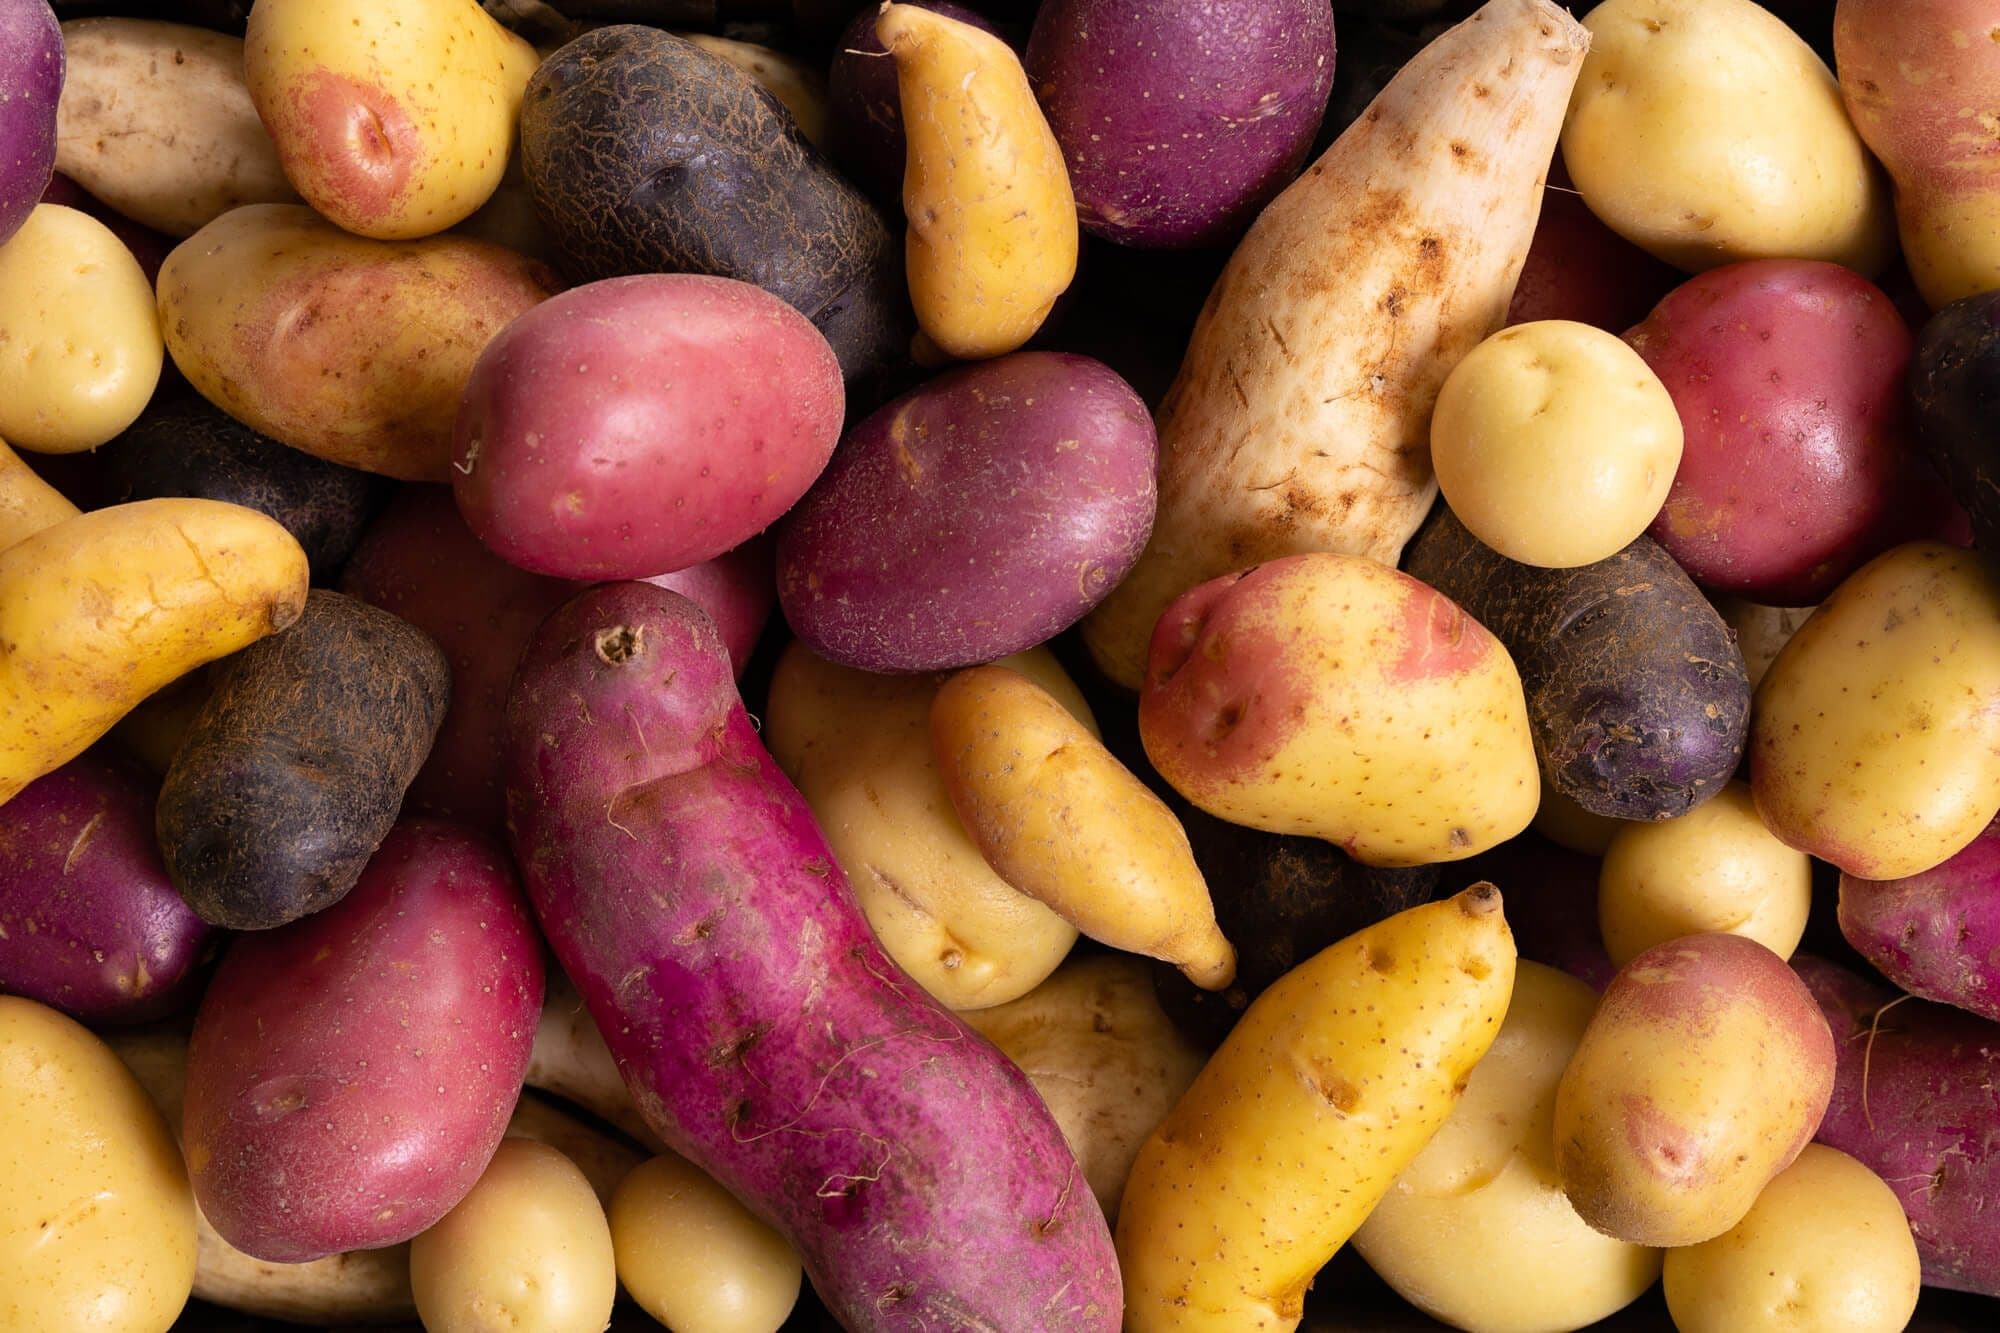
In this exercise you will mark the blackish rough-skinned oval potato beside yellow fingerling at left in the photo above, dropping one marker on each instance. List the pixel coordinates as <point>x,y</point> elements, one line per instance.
<point>273,810</point>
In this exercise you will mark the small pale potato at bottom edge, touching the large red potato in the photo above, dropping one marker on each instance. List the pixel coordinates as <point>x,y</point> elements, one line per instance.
<point>529,1250</point>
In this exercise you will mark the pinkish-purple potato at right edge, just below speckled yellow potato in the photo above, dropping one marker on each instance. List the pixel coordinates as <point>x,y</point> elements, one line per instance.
<point>1937,934</point>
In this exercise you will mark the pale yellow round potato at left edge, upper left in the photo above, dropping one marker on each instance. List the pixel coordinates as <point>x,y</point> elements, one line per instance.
<point>79,337</point>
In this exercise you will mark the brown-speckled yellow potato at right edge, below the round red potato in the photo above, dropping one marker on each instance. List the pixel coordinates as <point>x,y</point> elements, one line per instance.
<point>1875,734</point>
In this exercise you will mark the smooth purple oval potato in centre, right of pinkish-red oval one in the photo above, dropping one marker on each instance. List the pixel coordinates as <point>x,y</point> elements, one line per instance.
<point>979,515</point>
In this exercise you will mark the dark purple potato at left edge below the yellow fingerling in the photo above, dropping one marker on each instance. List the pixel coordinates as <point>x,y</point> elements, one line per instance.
<point>87,904</point>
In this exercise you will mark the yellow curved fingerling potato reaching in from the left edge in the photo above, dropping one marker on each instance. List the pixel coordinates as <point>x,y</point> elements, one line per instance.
<point>107,607</point>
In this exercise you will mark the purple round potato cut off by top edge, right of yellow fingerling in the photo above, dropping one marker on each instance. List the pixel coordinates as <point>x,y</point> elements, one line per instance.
<point>1181,119</point>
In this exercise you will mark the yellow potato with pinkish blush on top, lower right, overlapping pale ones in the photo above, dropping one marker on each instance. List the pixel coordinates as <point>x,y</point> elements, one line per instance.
<point>1701,1078</point>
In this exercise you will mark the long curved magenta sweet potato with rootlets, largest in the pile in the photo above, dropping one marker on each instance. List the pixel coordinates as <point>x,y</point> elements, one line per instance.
<point>757,1022</point>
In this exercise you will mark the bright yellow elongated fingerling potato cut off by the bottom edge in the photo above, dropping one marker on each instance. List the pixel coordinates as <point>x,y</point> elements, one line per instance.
<point>1325,1092</point>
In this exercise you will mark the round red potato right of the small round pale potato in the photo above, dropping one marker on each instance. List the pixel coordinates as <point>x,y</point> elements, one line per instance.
<point>1789,377</point>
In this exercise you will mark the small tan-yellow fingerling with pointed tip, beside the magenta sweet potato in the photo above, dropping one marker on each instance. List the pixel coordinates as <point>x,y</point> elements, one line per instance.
<point>1069,826</point>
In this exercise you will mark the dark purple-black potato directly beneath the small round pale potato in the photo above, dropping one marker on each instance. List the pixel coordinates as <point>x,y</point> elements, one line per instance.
<point>1637,692</point>
